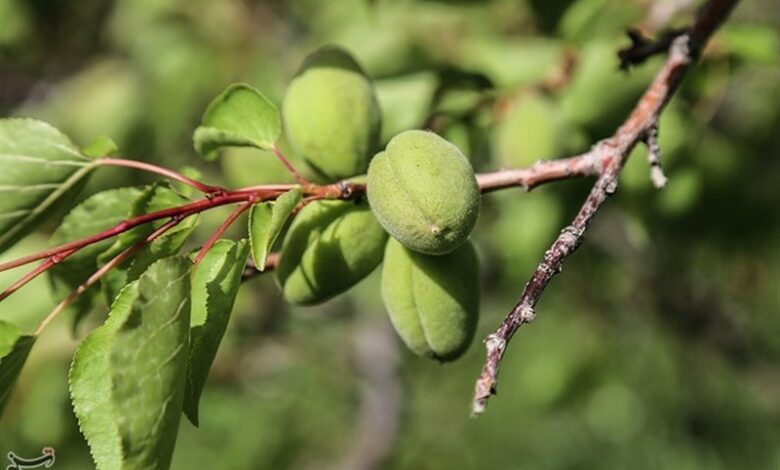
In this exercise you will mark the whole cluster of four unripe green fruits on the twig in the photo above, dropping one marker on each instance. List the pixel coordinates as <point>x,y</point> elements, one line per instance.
<point>421,190</point>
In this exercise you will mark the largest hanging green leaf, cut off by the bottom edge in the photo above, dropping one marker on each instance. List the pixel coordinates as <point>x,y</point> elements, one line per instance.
<point>127,377</point>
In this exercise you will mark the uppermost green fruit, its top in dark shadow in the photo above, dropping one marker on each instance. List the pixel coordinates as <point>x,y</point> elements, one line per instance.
<point>331,115</point>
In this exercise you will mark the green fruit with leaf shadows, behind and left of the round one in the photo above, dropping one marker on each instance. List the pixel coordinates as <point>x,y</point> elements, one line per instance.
<point>331,246</point>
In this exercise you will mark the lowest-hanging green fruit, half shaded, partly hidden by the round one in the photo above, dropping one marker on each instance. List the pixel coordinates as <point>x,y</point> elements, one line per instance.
<point>433,301</point>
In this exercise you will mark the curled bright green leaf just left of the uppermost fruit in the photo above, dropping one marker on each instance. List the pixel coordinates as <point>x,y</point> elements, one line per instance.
<point>242,117</point>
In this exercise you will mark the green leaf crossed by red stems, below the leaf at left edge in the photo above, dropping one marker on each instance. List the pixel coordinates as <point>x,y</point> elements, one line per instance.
<point>99,212</point>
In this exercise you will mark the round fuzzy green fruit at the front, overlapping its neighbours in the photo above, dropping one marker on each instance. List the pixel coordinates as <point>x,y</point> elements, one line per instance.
<point>424,192</point>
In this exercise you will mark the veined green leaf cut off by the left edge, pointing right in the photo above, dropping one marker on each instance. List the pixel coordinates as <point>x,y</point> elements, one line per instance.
<point>41,170</point>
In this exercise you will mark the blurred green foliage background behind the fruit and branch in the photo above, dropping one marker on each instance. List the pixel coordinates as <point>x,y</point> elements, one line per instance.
<point>657,347</point>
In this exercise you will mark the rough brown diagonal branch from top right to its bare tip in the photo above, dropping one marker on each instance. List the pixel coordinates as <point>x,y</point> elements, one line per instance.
<point>611,155</point>
